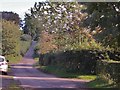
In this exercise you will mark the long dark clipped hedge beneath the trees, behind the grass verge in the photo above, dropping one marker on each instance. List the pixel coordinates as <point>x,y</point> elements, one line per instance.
<point>83,61</point>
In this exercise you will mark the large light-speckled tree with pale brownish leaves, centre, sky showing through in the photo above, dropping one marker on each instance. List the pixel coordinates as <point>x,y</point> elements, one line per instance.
<point>64,21</point>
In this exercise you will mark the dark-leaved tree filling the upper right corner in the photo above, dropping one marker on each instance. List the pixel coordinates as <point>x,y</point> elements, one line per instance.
<point>103,18</point>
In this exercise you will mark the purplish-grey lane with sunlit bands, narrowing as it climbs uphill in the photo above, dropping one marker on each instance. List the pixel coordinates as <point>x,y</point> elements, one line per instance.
<point>32,79</point>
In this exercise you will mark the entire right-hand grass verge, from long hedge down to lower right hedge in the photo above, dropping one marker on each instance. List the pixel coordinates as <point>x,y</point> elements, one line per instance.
<point>94,80</point>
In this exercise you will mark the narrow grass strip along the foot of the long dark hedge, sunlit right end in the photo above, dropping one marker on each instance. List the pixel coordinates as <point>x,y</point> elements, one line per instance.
<point>62,73</point>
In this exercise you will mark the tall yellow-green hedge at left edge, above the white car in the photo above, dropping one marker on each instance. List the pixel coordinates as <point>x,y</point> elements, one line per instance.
<point>10,38</point>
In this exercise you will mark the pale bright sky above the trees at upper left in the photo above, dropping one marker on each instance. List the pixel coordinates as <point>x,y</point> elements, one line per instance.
<point>17,6</point>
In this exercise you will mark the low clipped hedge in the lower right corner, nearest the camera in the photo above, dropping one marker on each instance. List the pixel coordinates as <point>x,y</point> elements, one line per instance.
<point>109,70</point>
